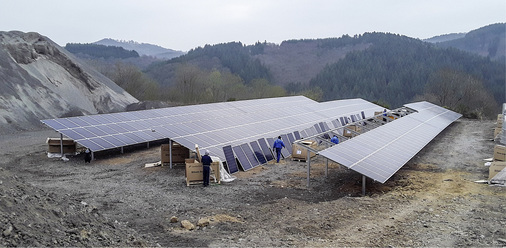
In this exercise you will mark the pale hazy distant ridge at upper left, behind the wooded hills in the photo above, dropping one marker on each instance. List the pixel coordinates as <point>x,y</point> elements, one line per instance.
<point>142,48</point>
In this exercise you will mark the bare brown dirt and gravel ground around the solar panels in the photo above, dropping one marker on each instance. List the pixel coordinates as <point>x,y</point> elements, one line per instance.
<point>114,201</point>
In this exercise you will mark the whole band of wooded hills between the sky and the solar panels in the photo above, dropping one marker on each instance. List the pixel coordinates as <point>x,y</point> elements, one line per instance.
<point>386,68</point>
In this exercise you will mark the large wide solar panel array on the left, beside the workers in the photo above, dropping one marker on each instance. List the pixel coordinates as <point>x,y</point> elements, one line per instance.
<point>215,126</point>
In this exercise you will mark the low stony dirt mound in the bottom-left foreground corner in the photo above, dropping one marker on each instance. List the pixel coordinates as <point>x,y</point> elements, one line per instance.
<point>30,216</point>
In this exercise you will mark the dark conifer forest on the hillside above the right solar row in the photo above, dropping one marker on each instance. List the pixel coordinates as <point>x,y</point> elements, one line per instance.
<point>395,69</point>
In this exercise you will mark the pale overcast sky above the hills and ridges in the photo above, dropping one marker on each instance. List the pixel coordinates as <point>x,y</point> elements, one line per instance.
<point>186,24</point>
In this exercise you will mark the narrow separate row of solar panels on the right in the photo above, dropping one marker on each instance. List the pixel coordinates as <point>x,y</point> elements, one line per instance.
<point>381,152</point>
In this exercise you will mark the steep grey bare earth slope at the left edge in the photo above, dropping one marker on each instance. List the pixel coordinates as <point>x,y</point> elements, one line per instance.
<point>41,80</point>
